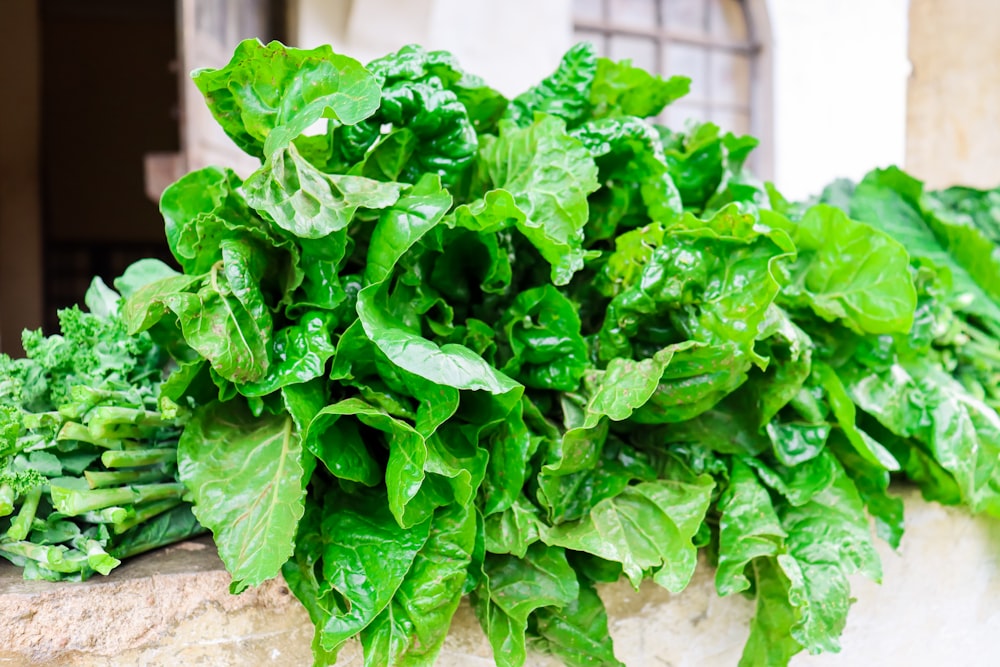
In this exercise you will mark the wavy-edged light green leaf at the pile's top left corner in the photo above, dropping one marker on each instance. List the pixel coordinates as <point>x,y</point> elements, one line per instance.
<point>281,91</point>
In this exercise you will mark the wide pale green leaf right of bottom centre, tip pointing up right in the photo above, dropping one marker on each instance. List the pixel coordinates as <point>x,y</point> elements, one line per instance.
<point>649,525</point>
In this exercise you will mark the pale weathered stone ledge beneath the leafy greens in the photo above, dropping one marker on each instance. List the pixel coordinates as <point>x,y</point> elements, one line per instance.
<point>939,604</point>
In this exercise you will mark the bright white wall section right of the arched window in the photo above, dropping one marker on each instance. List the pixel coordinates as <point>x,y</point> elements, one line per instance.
<point>840,75</point>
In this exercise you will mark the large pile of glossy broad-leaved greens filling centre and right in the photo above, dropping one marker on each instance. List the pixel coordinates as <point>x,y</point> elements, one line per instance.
<point>445,343</point>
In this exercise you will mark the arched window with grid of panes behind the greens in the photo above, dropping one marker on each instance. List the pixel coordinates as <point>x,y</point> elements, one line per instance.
<point>719,44</point>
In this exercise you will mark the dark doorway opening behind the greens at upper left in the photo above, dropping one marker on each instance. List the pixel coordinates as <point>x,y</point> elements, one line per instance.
<point>109,97</point>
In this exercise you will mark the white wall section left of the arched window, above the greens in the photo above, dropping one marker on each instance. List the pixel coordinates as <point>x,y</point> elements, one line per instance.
<point>511,44</point>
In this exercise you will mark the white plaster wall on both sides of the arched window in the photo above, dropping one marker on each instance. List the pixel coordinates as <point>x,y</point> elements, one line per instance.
<point>840,67</point>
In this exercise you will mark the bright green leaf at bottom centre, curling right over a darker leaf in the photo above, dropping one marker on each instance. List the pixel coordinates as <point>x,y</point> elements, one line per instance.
<point>514,587</point>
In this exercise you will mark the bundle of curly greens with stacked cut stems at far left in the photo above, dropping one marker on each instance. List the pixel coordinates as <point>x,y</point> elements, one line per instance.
<point>87,460</point>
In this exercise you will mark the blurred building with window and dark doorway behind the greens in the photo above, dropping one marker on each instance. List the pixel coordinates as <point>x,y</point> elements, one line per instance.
<point>98,113</point>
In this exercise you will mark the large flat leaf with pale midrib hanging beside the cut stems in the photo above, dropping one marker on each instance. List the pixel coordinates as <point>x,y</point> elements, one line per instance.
<point>245,476</point>
